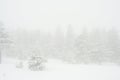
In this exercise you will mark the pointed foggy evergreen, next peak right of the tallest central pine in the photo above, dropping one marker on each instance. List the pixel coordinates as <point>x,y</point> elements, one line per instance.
<point>81,46</point>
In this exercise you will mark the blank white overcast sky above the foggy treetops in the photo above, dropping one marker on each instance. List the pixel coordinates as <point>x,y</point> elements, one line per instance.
<point>47,14</point>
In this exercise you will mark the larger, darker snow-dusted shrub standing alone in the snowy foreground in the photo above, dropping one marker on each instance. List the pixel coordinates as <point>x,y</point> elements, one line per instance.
<point>36,63</point>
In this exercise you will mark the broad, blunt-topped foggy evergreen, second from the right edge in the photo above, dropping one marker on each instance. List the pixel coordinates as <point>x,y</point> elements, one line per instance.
<point>99,52</point>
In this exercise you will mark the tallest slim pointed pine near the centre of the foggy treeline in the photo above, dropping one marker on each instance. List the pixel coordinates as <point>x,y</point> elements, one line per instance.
<point>69,54</point>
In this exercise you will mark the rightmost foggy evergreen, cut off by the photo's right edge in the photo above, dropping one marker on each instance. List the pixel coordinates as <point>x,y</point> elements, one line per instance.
<point>114,44</point>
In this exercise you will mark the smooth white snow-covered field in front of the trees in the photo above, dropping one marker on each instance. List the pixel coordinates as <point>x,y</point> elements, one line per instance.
<point>58,70</point>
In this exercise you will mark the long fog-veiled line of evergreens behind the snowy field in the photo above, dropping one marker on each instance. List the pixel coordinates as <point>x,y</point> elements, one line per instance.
<point>95,46</point>
